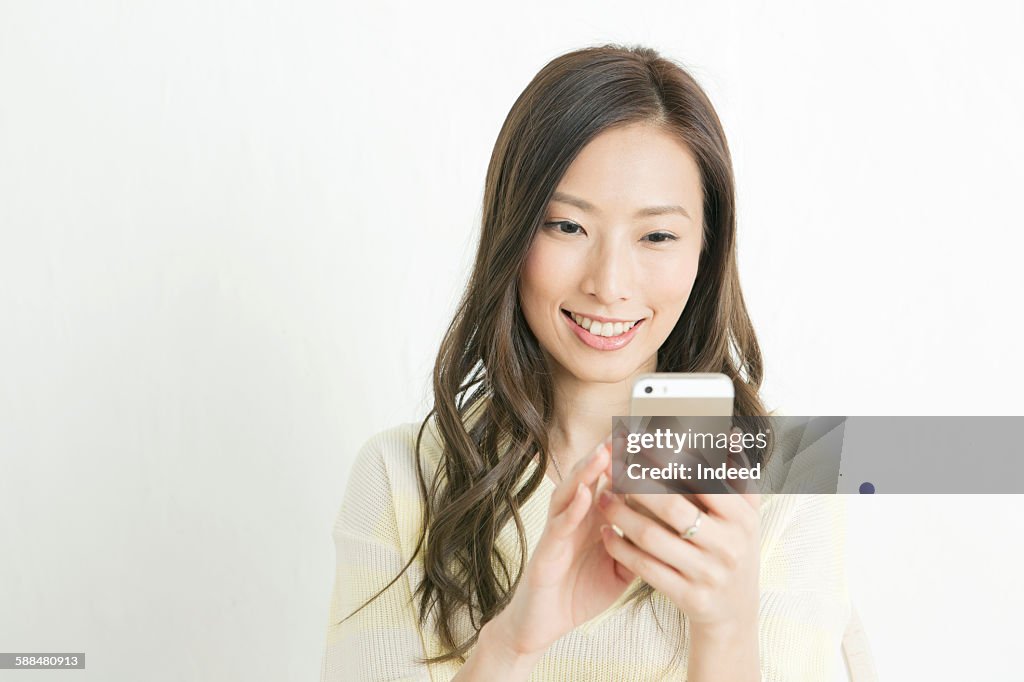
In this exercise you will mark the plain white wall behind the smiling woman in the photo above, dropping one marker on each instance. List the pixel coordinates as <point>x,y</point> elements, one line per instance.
<point>232,235</point>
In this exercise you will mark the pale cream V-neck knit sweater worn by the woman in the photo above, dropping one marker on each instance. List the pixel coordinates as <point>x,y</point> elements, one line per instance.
<point>804,609</point>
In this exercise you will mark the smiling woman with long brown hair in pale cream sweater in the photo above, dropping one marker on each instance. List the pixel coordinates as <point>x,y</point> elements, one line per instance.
<point>477,546</point>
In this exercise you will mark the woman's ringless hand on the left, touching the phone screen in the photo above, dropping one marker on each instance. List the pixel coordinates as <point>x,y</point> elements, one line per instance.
<point>571,578</point>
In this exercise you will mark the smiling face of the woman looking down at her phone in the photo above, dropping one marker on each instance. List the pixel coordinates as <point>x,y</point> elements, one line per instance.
<point>619,247</point>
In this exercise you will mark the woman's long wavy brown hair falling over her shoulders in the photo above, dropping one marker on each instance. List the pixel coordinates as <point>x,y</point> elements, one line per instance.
<point>490,363</point>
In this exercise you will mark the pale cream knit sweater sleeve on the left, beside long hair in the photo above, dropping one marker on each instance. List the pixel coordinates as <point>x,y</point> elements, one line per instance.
<point>383,641</point>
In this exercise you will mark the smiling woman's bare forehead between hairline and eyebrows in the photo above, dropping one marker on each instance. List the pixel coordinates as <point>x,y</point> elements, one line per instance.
<point>634,166</point>
